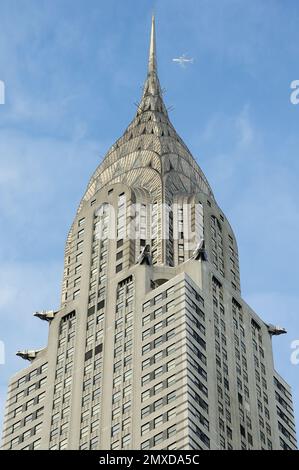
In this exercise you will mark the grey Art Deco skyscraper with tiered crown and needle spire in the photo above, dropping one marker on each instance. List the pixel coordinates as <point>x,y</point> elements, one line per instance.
<point>153,346</point>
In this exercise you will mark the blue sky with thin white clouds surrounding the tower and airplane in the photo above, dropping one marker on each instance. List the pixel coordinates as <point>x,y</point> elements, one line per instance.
<point>73,71</point>
